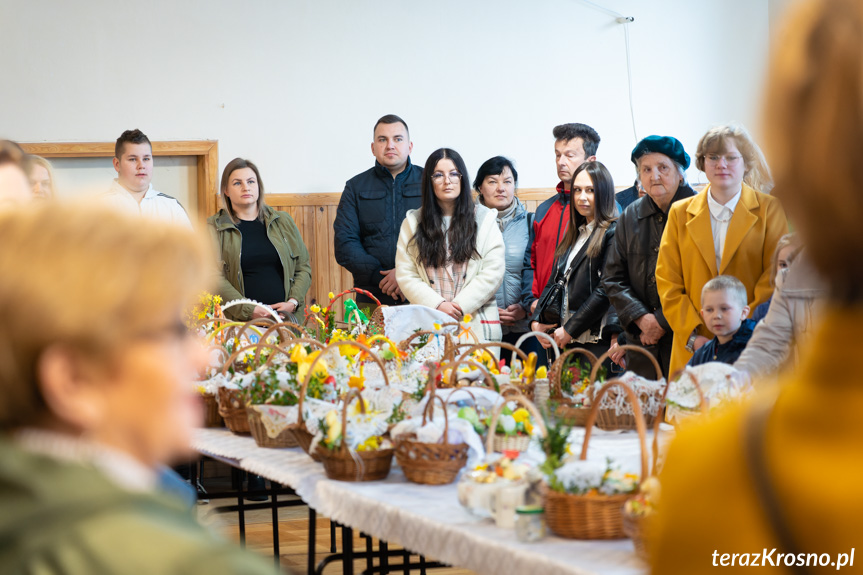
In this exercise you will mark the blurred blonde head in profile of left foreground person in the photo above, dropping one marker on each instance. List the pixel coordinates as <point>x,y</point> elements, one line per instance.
<point>92,342</point>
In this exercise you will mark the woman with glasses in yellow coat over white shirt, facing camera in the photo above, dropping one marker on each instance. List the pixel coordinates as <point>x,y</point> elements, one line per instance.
<point>730,228</point>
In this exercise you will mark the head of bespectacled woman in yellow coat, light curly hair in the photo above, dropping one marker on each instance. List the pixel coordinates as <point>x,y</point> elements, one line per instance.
<point>729,157</point>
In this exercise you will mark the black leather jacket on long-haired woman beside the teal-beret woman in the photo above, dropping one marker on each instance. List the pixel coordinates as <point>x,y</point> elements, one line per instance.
<point>586,296</point>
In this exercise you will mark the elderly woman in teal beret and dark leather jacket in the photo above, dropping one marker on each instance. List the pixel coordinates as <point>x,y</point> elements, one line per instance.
<point>660,162</point>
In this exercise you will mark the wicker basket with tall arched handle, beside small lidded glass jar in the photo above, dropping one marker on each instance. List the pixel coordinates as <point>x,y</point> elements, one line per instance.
<point>594,516</point>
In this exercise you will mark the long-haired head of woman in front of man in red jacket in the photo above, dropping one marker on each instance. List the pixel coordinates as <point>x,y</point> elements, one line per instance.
<point>591,200</point>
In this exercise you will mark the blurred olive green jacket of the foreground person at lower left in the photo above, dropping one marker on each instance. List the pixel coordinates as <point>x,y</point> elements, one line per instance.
<point>65,518</point>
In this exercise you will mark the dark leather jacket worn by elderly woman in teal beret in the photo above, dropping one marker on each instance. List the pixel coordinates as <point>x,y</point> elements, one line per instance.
<point>630,269</point>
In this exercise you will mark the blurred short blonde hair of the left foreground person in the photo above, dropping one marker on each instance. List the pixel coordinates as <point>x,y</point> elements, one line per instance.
<point>88,278</point>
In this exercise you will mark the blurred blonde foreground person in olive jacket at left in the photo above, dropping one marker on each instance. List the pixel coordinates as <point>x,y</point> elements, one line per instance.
<point>96,399</point>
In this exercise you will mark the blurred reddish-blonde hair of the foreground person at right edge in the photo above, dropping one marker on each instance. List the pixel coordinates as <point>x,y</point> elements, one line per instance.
<point>814,135</point>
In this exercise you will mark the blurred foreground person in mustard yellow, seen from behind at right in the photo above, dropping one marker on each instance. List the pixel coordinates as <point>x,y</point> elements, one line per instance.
<point>782,472</point>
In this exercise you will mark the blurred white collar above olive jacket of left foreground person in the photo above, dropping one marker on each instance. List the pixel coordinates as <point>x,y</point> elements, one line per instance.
<point>120,468</point>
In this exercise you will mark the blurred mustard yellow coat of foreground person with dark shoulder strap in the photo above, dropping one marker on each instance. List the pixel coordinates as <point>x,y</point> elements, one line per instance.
<point>813,444</point>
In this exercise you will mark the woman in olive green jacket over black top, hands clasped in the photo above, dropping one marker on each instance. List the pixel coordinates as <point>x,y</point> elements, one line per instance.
<point>262,256</point>
